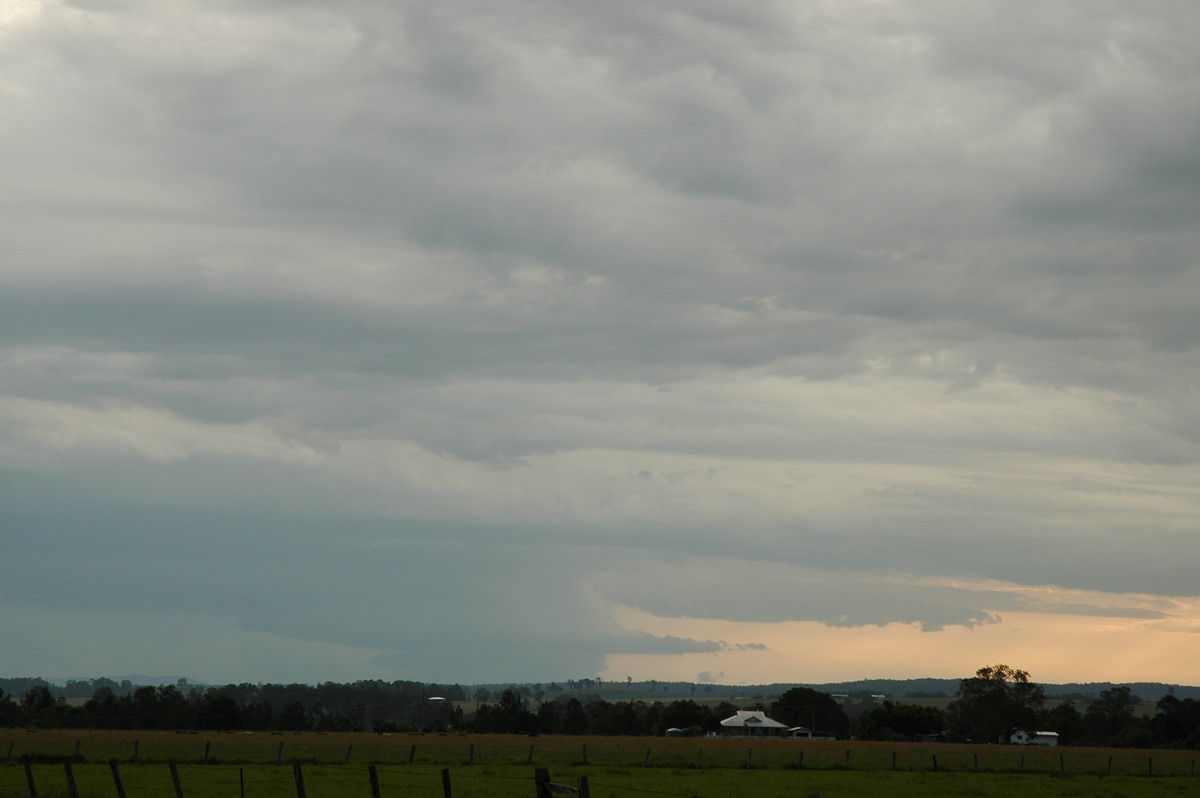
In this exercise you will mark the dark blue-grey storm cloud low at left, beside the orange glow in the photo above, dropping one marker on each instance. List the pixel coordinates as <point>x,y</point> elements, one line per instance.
<point>371,586</point>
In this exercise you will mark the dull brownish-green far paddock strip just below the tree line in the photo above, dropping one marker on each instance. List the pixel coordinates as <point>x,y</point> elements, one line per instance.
<point>265,748</point>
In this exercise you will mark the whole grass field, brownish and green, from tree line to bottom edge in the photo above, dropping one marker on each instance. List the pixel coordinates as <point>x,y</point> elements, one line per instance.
<point>617,767</point>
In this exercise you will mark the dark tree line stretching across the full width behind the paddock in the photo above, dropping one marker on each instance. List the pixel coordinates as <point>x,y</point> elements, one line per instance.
<point>987,709</point>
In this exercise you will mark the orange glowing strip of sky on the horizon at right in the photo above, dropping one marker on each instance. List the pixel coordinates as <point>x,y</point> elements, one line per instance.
<point>1054,649</point>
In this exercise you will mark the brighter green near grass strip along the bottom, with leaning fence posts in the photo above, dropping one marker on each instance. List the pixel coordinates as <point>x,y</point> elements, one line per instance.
<point>513,782</point>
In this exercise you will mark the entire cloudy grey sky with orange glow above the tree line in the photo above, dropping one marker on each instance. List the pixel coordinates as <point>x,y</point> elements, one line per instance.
<point>743,344</point>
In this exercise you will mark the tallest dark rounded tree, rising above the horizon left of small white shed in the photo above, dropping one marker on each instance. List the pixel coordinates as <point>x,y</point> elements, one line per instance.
<point>994,703</point>
